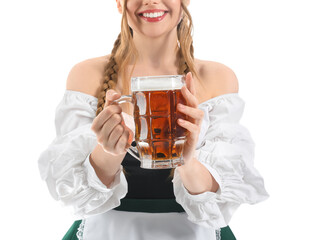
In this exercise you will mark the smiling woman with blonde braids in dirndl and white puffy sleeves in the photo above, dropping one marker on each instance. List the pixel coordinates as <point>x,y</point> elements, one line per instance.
<point>87,166</point>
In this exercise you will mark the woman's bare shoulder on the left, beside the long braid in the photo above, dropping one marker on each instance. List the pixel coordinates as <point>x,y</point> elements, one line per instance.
<point>86,76</point>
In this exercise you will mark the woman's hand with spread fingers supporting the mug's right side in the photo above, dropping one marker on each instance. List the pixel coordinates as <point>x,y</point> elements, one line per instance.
<point>195,117</point>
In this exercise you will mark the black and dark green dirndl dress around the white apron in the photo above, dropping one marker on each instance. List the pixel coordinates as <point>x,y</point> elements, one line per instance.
<point>155,197</point>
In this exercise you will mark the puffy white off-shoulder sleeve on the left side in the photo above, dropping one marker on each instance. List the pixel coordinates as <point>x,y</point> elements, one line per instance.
<point>65,165</point>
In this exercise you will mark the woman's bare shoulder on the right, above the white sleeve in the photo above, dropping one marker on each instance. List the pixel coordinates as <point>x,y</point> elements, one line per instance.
<point>218,77</point>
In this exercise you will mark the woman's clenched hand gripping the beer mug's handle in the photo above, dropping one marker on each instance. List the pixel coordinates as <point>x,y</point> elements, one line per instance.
<point>111,132</point>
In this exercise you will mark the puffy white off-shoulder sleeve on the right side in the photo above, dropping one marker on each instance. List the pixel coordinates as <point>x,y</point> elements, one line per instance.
<point>226,149</point>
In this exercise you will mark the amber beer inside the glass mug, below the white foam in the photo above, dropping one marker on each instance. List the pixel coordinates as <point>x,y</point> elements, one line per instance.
<point>158,135</point>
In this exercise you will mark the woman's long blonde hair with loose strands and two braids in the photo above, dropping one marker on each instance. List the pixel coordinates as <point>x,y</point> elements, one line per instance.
<point>124,51</point>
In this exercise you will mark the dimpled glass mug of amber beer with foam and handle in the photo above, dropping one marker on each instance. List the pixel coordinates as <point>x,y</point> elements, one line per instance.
<point>159,139</point>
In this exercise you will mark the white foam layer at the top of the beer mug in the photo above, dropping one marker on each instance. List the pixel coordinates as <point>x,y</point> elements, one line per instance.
<point>157,83</point>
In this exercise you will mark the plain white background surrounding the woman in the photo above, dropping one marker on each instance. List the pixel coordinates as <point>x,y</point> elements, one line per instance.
<point>266,43</point>
